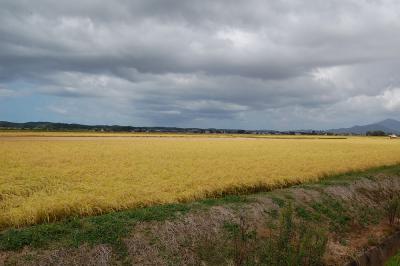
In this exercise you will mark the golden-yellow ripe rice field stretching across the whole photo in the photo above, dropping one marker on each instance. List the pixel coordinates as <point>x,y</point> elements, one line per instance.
<point>44,179</point>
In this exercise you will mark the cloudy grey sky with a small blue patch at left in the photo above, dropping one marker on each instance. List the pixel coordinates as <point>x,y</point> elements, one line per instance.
<point>250,64</point>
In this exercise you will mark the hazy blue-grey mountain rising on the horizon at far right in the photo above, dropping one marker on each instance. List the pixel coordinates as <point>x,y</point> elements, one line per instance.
<point>387,126</point>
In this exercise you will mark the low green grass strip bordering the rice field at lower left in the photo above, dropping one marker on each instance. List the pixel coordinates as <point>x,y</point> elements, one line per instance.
<point>104,229</point>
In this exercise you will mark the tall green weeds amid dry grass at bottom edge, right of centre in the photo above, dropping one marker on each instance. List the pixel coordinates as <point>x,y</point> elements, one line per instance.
<point>292,243</point>
